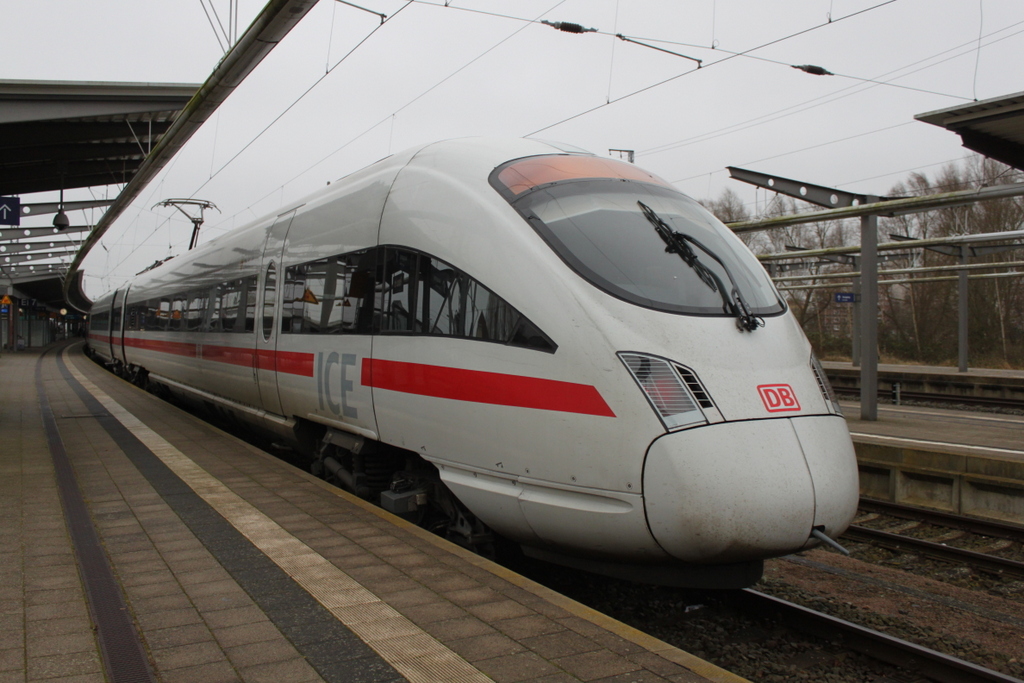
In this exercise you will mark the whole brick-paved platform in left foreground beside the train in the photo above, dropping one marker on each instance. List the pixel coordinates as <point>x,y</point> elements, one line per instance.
<point>142,544</point>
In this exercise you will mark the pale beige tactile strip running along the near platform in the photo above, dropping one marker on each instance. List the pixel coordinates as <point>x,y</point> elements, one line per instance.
<point>415,654</point>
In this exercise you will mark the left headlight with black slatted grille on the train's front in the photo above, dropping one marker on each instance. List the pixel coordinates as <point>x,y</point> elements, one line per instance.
<point>674,393</point>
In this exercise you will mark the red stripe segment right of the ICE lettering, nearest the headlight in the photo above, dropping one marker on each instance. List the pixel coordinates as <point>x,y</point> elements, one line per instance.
<point>483,388</point>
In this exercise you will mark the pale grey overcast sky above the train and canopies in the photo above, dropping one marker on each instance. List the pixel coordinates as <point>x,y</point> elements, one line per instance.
<point>432,73</point>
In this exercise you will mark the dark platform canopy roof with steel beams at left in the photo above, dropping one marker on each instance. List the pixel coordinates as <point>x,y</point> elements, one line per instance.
<point>63,136</point>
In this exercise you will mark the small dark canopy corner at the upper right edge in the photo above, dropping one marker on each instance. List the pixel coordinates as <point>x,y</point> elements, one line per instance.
<point>993,127</point>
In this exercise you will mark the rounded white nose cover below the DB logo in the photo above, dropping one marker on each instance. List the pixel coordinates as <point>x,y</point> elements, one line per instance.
<point>734,492</point>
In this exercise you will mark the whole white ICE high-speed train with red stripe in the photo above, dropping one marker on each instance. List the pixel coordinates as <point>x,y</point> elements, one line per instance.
<point>521,338</point>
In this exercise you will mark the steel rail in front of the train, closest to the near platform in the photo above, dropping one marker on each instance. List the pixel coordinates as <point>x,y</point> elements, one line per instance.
<point>897,652</point>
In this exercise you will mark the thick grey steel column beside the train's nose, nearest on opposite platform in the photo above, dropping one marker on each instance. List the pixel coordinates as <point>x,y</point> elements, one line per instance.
<point>870,317</point>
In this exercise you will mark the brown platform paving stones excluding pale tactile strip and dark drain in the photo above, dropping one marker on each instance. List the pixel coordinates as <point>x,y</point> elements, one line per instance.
<point>204,603</point>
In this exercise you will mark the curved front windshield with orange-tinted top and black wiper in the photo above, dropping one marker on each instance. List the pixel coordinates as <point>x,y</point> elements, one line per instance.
<point>635,237</point>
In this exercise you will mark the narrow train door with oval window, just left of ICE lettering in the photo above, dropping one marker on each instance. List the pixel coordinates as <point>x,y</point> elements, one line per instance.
<point>269,313</point>
